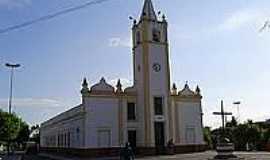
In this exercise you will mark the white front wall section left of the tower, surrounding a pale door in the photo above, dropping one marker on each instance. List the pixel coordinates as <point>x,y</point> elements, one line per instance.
<point>102,115</point>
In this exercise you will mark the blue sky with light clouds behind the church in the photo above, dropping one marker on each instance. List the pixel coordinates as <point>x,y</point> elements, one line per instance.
<point>216,45</point>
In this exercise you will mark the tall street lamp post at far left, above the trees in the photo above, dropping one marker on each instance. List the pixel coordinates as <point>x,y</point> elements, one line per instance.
<point>12,68</point>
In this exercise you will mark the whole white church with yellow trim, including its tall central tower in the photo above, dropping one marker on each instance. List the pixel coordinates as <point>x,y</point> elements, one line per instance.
<point>147,114</point>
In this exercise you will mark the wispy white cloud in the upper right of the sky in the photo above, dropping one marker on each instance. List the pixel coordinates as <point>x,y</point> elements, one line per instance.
<point>244,17</point>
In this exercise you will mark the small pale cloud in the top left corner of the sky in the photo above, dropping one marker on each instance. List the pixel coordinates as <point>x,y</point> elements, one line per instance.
<point>10,4</point>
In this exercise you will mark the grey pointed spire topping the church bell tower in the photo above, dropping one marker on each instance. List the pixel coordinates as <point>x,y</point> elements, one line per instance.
<point>148,11</point>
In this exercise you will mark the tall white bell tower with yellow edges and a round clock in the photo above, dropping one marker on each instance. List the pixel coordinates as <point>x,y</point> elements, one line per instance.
<point>152,74</point>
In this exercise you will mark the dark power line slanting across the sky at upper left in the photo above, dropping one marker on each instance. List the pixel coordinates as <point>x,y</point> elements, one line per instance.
<point>50,16</point>
